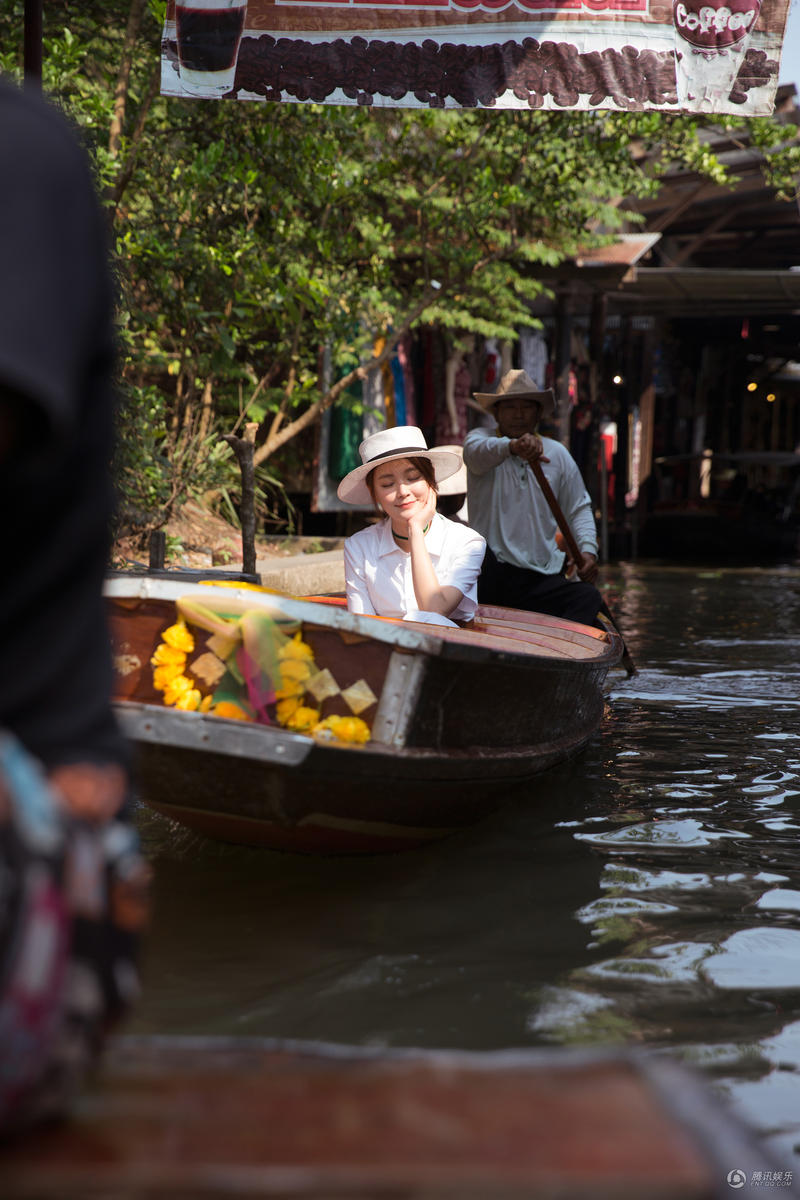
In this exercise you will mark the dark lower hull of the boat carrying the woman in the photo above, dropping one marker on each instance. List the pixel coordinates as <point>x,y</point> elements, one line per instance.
<point>338,800</point>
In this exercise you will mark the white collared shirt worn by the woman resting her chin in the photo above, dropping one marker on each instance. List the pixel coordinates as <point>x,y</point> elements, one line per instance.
<point>378,573</point>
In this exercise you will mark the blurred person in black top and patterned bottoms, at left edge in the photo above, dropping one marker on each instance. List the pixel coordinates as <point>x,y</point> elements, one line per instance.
<point>73,881</point>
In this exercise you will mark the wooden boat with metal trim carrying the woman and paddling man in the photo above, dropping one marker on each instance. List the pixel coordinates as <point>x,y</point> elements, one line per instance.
<point>459,719</point>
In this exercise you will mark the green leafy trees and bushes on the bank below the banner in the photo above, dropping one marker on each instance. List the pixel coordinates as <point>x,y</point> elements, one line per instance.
<point>250,237</point>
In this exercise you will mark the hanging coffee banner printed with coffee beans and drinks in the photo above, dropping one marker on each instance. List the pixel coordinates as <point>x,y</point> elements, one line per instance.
<point>696,56</point>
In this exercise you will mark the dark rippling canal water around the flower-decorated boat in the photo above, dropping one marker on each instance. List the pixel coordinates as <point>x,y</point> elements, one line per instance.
<point>645,895</point>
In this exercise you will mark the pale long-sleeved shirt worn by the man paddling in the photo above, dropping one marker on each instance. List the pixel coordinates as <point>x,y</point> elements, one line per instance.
<point>507,506</point>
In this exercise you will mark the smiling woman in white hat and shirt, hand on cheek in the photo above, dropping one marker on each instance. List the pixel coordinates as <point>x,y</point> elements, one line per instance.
<point>416,563</point>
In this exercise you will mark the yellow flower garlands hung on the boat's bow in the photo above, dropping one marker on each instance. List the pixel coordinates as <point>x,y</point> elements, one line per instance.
<point>191,688</point>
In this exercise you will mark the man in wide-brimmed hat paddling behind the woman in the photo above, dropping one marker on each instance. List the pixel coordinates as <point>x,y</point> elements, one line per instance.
<point>525,566</point>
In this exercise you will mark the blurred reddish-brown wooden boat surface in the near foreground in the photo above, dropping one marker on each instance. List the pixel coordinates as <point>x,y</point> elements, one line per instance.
<point>213,1118</point>
